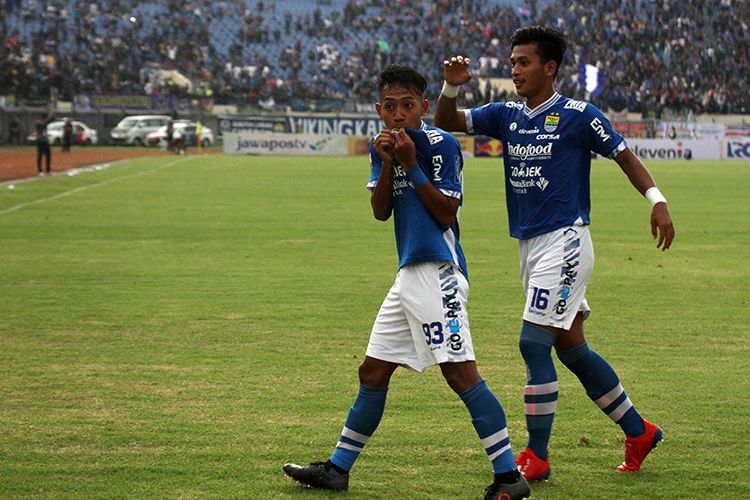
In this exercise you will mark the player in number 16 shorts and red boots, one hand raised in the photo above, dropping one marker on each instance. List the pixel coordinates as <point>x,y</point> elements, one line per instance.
<point>547,143</point>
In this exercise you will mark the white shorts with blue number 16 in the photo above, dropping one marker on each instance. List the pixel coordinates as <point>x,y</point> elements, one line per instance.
<point>555,271</point>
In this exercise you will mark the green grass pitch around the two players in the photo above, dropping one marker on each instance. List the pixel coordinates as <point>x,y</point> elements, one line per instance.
<point>181,327</point>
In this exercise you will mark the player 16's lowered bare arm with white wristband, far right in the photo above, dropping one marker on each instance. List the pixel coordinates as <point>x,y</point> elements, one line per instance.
<point>640,178</point>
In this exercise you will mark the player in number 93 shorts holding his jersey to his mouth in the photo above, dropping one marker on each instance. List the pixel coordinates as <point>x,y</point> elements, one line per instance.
<point>423,321</point>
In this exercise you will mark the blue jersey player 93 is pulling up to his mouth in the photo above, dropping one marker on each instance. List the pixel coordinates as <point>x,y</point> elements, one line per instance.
<point>419,238</point>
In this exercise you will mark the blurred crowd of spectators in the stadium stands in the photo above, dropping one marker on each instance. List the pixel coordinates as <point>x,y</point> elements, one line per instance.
<point>687,56</point>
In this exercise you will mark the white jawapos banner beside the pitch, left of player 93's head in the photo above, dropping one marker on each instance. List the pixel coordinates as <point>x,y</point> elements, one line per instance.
<point>260,143</point>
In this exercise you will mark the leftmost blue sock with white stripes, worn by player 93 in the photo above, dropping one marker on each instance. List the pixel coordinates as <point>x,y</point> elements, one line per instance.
<point>364,417</point>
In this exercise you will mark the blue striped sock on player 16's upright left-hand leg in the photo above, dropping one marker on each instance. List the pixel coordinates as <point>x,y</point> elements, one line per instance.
<point>540,393</point>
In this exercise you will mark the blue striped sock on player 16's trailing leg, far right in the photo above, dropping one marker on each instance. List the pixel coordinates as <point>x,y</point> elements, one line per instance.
<point>603,387</point>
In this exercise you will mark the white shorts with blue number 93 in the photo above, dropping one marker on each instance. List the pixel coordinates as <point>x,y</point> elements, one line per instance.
<point>423,320</point>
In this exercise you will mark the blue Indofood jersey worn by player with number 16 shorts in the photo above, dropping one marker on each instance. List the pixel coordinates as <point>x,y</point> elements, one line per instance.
<point>547,159</point>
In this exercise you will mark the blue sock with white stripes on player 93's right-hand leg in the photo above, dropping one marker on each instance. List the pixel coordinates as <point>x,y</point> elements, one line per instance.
<point>488,418</point>
